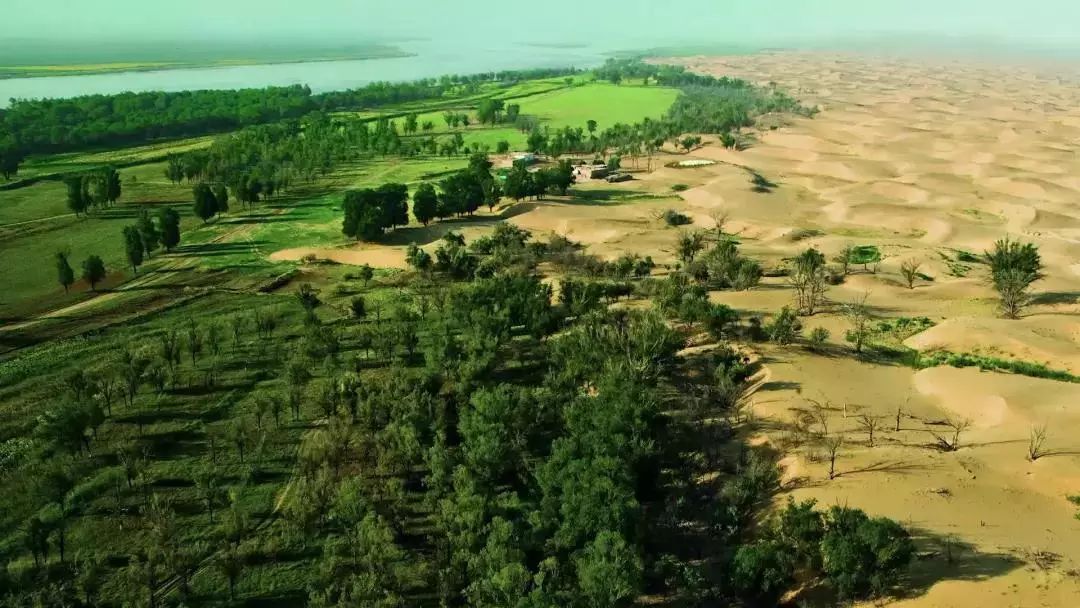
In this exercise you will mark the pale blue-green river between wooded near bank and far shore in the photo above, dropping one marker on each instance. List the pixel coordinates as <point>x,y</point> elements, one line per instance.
<point>429,60</point>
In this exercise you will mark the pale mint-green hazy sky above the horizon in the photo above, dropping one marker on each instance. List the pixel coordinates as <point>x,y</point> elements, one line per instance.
<point>624,23</point>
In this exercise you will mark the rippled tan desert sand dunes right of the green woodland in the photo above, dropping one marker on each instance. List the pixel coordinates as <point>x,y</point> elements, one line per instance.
<point>924,161</point>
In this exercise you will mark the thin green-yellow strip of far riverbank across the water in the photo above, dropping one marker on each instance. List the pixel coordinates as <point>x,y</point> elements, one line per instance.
<point>11,73</point>
